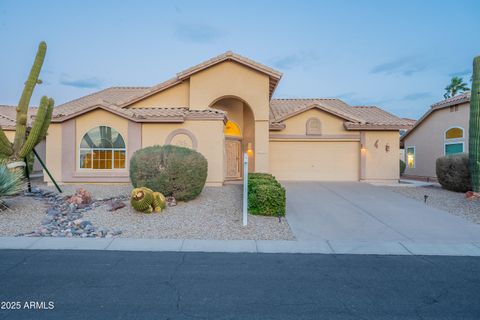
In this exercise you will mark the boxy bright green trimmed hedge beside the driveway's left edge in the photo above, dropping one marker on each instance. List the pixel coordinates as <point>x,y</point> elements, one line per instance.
<point>266,196</point>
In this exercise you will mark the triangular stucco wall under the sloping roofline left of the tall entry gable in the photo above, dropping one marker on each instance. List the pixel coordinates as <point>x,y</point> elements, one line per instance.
<point>176,96</point>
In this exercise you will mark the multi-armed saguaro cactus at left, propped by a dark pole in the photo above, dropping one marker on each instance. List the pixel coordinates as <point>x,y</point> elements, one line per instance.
<point>23,144</point>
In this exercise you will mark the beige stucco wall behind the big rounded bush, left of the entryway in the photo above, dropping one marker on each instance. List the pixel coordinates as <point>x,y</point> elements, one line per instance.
<point>209,138</point>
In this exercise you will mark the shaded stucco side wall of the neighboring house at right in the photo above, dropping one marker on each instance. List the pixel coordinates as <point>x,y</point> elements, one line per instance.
<point>428,138</point>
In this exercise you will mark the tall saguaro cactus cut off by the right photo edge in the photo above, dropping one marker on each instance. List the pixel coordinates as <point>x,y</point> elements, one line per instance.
<point>474,130</point>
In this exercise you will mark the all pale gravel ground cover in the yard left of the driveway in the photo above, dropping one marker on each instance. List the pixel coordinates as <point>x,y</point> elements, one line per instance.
<point>215,214</point>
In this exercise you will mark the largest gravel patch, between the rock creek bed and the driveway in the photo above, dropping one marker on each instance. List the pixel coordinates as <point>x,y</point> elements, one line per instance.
<point>215,214</point>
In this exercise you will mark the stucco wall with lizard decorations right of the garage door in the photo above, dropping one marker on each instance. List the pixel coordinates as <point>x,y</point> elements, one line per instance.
<point>378,164</point>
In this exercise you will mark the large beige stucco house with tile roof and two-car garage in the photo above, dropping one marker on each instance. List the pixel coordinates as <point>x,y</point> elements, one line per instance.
<point>223,108</point>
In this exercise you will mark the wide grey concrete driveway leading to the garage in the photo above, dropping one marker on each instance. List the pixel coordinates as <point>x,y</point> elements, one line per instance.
<point>354,211</point>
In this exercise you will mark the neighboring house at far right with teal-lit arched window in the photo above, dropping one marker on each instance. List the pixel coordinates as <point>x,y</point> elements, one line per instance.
<point>442,130</point>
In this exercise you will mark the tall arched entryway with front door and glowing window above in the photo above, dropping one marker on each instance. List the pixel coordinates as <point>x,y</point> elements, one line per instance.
<point>239,134</point>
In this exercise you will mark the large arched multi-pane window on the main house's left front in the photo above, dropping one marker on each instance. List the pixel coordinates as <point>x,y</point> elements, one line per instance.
<point>102,148</point>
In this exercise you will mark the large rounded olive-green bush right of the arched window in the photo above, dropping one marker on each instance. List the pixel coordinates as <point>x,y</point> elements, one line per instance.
<point>171,170</point>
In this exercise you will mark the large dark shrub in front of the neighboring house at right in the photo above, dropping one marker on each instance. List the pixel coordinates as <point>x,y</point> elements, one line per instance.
<point>453,172</point>
